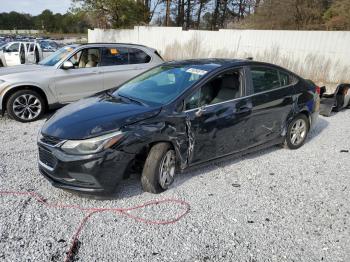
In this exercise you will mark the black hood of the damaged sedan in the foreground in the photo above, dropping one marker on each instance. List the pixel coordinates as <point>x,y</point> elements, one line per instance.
<point>95,116</point>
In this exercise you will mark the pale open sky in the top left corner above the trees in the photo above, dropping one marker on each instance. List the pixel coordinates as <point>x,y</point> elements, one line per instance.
<point>34,7</point>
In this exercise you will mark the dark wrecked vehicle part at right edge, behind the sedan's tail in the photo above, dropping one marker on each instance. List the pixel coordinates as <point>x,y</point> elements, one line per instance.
<point>335,102</point>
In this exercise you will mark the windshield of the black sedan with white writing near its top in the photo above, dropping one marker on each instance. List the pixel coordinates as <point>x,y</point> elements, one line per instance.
<point>164,83</point>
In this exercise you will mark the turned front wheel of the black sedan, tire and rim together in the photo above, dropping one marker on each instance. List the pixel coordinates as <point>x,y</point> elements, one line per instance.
<point>152,174</point>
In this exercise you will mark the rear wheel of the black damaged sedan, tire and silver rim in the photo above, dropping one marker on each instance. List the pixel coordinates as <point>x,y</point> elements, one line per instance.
<point>299,127</point>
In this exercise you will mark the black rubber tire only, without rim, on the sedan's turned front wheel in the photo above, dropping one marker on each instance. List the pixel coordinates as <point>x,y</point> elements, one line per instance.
<point>150,178</point>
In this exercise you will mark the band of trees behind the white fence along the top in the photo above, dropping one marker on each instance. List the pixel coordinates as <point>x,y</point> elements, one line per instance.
<point>198,14</point>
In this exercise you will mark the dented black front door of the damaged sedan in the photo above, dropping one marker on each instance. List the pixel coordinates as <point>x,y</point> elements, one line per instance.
<point>218,130</point>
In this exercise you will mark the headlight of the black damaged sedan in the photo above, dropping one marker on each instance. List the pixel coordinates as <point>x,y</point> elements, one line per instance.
<point>92,145</point>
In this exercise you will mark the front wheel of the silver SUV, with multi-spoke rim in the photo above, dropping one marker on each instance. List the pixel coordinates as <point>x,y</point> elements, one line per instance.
<point>22,100</point>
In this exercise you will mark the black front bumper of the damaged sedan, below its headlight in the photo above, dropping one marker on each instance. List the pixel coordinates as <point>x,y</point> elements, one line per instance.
<point>97,173</point>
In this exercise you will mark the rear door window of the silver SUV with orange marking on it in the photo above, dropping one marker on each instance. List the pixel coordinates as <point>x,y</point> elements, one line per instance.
<point>114,56</point>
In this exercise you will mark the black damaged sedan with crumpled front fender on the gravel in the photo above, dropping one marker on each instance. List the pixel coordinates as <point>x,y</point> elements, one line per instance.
<point>172,117</point>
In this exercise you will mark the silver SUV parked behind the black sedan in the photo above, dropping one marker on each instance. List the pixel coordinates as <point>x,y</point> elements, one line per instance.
<point>71,73</point>
